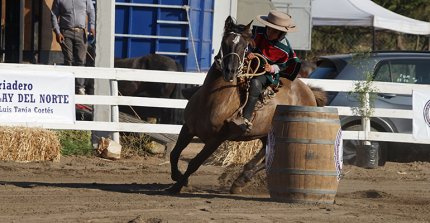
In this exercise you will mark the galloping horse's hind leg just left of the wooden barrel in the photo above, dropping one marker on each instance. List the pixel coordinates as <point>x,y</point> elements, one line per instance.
<point>249,170</point>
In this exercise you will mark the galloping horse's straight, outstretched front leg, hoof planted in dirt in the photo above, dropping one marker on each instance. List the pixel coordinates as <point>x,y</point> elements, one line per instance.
<point>194,164</point>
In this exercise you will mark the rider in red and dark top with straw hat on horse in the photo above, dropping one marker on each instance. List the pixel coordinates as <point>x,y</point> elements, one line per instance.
<point>272,44</point>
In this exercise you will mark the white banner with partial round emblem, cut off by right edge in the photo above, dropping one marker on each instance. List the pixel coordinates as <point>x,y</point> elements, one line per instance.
<point>421,119</point>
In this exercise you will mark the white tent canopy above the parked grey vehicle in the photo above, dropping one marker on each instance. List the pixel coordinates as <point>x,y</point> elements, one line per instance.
<point>364,13</point>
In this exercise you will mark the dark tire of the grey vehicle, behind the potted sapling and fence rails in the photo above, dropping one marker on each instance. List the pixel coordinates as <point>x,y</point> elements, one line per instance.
<point>350,148</point>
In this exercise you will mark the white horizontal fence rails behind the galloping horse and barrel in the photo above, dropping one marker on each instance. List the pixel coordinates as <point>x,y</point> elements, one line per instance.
<point>116,74</point>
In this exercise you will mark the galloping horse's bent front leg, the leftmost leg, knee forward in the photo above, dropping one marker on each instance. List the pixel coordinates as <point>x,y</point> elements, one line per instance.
<point>184,139</point>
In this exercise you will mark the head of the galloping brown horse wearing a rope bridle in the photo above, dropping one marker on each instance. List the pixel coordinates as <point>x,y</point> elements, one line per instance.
<point>233,48</point>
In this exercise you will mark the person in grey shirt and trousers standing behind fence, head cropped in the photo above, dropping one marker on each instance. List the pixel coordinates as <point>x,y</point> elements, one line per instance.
<point>69,19</point>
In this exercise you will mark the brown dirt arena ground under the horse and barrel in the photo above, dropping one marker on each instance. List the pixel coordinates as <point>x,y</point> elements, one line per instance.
<point>80,189</point>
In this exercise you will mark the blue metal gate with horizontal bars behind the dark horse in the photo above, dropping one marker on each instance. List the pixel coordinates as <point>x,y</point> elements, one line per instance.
<point>164,27</point>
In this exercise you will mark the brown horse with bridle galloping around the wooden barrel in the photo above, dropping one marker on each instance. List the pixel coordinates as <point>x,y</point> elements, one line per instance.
<point>211,109</point>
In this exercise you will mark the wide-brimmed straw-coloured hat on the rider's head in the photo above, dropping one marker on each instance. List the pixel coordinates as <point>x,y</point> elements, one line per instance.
<point>278,20</point>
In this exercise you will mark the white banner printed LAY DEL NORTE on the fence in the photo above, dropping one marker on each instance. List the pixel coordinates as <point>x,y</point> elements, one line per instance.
<point>35,96</point>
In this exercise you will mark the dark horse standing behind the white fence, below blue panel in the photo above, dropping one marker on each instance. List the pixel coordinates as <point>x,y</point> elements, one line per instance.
<point>148,89</point>
